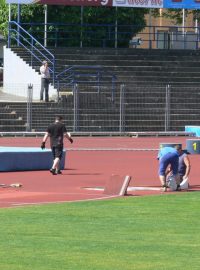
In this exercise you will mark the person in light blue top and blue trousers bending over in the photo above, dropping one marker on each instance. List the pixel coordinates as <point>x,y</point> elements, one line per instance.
<point>169,156</point>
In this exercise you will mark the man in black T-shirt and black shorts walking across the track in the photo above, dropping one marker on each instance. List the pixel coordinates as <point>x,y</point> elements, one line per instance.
<point>56,131</point>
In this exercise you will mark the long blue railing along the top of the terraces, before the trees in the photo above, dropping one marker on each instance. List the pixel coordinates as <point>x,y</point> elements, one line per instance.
<point>110,36</point>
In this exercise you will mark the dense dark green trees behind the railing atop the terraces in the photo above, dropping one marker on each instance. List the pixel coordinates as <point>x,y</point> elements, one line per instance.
<point>70,35</point>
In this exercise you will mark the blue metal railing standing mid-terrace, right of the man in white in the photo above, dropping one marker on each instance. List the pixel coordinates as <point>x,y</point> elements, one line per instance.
<point>80,74</point>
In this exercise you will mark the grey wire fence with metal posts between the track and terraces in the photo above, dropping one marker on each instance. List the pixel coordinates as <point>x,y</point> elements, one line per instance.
<point>134,109</point>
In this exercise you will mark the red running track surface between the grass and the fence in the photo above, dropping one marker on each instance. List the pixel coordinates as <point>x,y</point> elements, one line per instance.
<point>90,161</point>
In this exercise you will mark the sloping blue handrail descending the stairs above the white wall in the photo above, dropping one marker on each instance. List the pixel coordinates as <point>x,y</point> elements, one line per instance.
<point>21,39</point>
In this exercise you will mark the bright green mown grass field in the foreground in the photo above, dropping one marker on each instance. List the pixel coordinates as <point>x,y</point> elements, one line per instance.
<point>152,232</point>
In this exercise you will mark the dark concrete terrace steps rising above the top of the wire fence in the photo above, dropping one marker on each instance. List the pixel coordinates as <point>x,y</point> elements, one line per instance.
<point>138,66</point>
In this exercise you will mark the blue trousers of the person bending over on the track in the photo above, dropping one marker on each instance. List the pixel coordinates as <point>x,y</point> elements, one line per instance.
<point>169,159</point>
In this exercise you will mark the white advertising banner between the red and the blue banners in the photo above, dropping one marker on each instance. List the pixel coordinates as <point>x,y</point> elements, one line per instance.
<point>138,3</point>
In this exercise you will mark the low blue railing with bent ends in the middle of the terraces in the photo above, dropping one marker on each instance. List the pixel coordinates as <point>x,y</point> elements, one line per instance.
<point>71,74</point>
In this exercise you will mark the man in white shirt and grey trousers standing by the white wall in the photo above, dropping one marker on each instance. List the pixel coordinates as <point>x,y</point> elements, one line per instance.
<point>45,76</point>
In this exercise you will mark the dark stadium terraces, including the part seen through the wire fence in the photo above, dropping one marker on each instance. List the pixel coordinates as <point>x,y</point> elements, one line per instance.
<point>136,69</point>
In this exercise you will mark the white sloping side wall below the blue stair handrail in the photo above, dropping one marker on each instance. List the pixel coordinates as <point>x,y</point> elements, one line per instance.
<point>18,75</point>
